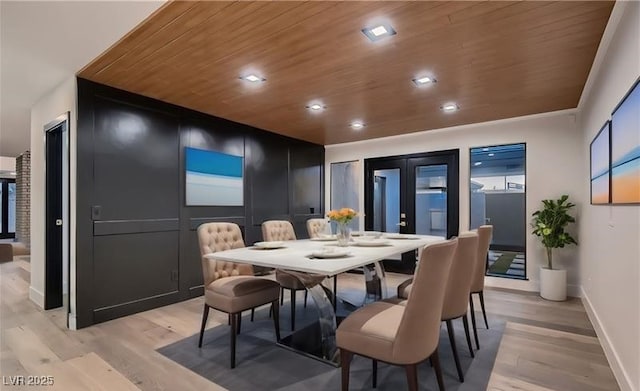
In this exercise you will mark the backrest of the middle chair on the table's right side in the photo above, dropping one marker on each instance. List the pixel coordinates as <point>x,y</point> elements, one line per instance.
<point>456,297</point>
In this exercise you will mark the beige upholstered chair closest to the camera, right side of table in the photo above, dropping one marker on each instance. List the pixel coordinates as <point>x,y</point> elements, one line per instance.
<point>402,334</point>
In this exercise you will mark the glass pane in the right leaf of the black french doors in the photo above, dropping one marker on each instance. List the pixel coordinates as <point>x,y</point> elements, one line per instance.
<point>431,200</point>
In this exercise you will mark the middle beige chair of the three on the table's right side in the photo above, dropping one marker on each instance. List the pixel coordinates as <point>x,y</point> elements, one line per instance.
<point>457,293</point>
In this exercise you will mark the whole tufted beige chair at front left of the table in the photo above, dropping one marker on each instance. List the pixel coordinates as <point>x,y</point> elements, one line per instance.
<point>230,287</point>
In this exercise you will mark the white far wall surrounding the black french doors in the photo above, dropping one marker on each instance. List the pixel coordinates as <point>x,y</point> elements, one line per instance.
<point>554,167</point>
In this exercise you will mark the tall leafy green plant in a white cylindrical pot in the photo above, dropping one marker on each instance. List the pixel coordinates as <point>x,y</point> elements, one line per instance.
<point>549,225</point>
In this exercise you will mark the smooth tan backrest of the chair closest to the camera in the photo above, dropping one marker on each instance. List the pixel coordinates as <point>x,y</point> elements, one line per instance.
<point>419,329</point>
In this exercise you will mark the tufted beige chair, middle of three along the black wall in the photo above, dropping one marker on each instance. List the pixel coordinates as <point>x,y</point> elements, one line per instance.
<point>282,230</point>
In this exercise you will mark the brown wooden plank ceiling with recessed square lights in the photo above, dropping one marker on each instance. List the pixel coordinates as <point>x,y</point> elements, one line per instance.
<point>494,59</point>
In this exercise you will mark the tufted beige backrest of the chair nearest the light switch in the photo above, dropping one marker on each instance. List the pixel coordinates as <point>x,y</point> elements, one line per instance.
<point>213,237</point>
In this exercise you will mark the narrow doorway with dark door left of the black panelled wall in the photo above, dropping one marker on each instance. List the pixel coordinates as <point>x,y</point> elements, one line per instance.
<point>56,286</point>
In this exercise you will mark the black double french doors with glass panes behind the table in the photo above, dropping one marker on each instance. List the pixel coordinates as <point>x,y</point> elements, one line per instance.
<point>413,194</point>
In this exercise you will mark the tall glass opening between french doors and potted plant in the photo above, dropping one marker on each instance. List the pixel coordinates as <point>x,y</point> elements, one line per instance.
<point>498,194</point>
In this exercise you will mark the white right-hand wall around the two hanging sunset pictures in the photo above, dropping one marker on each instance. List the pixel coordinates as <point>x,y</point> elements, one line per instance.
<point>610,246</point>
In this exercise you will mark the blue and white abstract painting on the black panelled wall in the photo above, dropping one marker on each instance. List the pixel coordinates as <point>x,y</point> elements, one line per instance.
<point>213,178</point>
